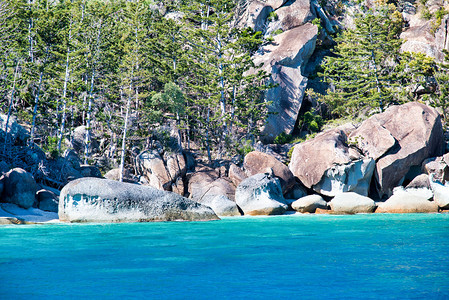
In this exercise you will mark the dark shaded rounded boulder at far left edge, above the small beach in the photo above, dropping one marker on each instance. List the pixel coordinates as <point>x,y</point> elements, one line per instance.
<point>19,188</point>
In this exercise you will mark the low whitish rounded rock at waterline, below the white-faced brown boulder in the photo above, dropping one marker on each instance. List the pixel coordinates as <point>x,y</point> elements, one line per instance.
<point>352,203</point>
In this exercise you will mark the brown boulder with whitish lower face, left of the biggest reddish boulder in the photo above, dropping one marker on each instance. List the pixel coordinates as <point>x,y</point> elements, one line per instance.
<point>329,166</point>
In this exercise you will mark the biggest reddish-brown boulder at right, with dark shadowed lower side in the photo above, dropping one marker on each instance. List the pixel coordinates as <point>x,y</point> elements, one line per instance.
<point>417,133</point>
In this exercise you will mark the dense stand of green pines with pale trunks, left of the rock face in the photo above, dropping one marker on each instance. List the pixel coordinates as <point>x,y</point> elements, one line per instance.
<point>127,69</point>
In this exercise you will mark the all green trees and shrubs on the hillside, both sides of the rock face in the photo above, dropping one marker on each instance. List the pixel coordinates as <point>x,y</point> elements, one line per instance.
<point>132,71</point>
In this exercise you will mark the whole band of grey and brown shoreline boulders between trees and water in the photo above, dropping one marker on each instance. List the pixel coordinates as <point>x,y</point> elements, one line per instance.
<point>394,162</point>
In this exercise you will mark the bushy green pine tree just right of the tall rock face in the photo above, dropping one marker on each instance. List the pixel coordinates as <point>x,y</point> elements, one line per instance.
<point>363,72</point>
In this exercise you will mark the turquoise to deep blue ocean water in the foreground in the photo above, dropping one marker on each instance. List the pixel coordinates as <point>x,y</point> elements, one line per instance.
<point>372,256</point>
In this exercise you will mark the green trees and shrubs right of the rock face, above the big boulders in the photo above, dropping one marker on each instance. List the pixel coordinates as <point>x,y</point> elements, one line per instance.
<point>367,72</point>
